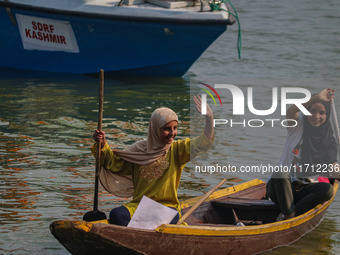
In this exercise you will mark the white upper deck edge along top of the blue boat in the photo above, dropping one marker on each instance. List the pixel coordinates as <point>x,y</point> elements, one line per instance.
<point>180,8</point>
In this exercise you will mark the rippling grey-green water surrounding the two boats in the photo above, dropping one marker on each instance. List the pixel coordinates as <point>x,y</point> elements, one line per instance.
<point>47,171</point>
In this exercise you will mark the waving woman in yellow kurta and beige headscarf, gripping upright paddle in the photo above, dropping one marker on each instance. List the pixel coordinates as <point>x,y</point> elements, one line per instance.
<point>151,167</point>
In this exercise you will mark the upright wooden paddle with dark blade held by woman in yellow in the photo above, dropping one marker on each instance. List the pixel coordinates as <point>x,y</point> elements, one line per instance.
<point>95,214</point>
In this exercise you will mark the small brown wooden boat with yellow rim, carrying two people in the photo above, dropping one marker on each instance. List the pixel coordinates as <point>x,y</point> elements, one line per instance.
<point>211,228</point>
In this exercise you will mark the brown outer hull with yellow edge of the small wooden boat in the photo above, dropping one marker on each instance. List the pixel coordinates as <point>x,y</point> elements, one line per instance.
<point>81,237</point>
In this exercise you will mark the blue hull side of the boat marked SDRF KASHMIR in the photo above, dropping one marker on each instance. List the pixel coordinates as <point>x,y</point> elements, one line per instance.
<point>117,44</point>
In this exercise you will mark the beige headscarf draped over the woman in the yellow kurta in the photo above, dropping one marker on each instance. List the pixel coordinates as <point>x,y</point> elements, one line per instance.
<point>141,153</point>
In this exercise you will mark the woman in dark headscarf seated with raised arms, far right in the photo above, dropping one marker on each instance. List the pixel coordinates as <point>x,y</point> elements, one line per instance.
<point>309,145</point>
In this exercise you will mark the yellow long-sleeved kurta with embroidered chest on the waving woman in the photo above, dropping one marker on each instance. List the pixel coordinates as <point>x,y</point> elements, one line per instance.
<point>158,181</point>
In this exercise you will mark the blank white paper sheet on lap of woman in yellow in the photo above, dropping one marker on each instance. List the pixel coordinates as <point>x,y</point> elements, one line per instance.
<point>150,214</point>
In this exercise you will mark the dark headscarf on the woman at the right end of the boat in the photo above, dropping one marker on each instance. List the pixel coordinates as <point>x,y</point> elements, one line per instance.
<point>319,145</point>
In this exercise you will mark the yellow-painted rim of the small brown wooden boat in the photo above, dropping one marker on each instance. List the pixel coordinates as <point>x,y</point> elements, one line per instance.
<point>200,230</point>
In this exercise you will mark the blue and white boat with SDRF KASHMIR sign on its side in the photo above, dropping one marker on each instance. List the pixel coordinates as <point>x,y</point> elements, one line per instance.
<point>132,37</point>
